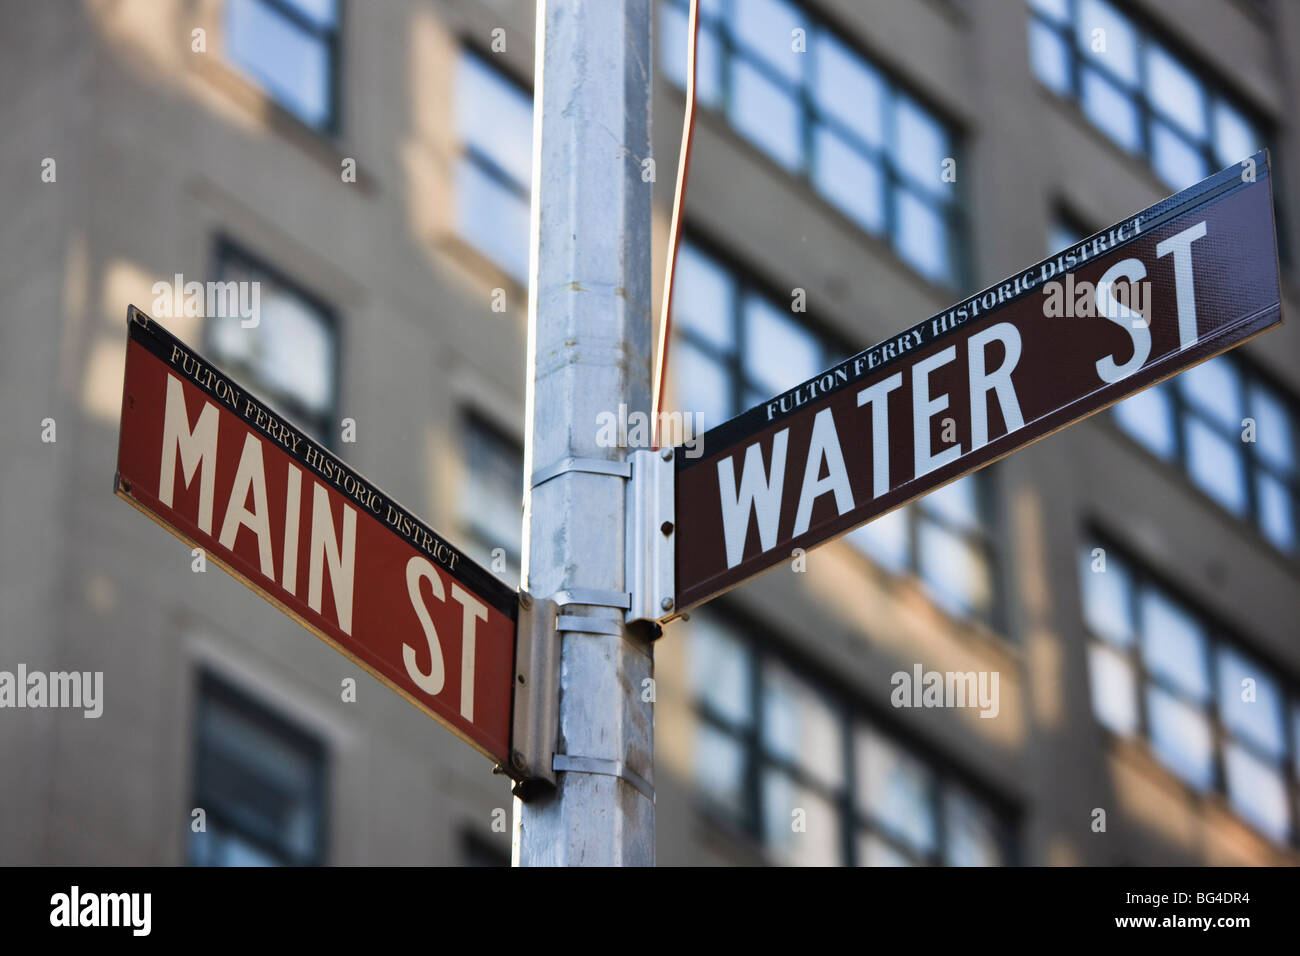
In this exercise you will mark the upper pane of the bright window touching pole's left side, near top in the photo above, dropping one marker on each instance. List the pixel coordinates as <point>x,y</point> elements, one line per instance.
<point>496,119</point>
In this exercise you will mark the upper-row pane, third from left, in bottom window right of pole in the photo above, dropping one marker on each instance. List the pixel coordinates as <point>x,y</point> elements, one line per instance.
<point>895,790</point>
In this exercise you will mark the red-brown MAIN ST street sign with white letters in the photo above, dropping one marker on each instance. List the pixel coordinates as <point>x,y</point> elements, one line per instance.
<point>222,470</point>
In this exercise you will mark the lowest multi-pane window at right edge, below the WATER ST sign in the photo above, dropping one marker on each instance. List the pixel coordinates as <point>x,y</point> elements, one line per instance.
<point>1212,713</point>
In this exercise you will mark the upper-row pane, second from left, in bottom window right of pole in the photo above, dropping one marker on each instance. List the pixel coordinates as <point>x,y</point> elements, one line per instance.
<point>800,728</point>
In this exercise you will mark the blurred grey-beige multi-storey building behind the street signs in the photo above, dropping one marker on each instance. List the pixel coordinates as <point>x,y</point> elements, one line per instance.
<point>400,301</point>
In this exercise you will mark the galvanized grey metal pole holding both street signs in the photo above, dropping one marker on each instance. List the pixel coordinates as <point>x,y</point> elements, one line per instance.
<point>590,354</point>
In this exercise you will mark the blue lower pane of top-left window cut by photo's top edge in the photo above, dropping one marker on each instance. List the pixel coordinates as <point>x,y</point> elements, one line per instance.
<point>291,63</point>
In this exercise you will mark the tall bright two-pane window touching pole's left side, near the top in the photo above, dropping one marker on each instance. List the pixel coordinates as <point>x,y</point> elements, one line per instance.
<point>495,122</point>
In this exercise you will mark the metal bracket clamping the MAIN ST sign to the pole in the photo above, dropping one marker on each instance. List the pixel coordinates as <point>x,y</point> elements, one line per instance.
<point>536,721</point>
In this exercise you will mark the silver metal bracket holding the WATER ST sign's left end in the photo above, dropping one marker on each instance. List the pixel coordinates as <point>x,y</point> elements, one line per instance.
<point>651,539</point>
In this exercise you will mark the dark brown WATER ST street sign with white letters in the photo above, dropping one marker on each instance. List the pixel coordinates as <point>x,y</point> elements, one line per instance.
<point>1160,292</point>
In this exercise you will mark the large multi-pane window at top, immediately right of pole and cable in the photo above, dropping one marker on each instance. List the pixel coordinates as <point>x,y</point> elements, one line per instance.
<point>829,116</point>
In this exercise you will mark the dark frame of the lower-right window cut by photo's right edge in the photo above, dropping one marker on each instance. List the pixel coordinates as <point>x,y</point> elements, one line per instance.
<point>1219,638</point>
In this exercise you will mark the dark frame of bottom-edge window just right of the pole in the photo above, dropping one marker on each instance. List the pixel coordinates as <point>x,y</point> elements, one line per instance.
<point>761,647</point>
